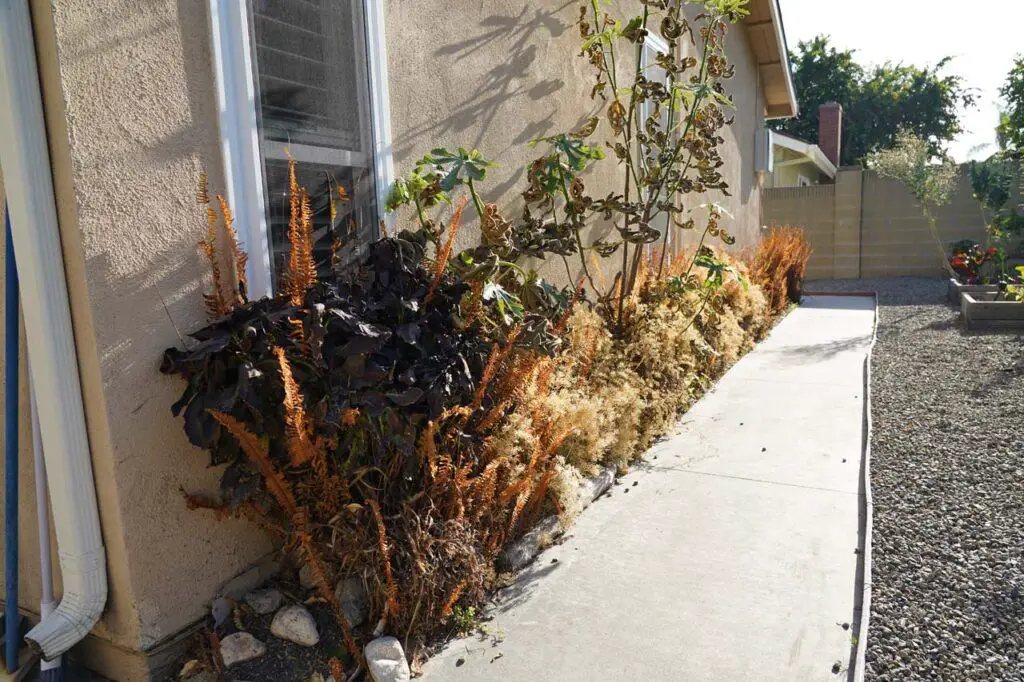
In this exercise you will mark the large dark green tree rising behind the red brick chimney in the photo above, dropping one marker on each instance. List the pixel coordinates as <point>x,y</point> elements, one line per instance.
<point>878,102</point>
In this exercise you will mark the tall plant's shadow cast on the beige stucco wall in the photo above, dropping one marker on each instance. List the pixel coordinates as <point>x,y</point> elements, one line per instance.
<point>514,36</point>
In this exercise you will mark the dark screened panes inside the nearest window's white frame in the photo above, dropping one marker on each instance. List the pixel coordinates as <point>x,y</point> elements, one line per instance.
<point>311,67</point>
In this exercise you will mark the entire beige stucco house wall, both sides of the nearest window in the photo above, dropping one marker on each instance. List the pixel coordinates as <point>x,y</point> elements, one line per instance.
<point>130,100</point>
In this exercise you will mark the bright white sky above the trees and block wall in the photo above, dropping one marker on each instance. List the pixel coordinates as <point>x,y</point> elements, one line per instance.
<point>983,36</point>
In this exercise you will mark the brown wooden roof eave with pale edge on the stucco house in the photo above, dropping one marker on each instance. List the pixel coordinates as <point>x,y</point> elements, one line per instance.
<point>767,37</point>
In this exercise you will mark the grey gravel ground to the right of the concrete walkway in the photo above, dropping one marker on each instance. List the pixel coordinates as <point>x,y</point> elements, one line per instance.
<point>948,467</point>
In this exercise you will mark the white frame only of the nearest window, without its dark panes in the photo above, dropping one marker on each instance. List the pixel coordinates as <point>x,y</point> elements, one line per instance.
<point>240,139</point>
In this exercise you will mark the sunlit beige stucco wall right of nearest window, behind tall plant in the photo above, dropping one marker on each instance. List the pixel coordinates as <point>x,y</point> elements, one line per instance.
<point>495,76</point>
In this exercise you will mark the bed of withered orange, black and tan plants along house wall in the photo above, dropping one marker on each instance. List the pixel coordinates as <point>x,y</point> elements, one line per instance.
<point>404,421</point>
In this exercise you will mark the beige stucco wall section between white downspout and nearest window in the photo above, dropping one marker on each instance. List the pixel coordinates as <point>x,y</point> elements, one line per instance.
<point>136,84</point>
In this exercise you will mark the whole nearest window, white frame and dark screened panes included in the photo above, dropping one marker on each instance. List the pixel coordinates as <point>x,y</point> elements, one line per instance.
<point>304,79</point>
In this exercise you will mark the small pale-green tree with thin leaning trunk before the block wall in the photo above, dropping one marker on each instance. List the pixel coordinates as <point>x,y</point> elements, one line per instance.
<point>931,181</point>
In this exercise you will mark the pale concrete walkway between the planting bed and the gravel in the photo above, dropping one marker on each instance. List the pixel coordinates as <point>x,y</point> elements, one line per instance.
<point>730,555</point>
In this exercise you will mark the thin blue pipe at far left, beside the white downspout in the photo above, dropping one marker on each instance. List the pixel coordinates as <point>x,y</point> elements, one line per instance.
<point>12,332</point>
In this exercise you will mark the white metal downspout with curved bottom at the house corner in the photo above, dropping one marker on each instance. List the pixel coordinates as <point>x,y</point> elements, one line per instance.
<point>53,362</point>
